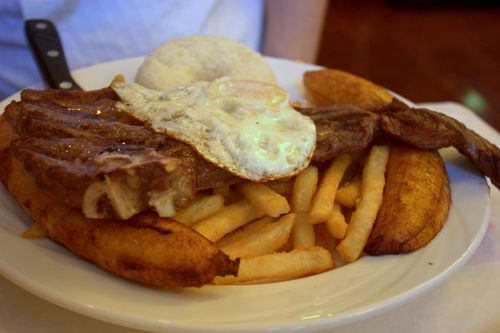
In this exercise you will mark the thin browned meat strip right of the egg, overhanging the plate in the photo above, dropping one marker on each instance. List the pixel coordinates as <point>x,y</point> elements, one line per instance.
<point>342,128</point>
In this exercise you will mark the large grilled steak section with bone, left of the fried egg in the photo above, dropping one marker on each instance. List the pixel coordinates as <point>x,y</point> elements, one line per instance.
<point>69,141</point>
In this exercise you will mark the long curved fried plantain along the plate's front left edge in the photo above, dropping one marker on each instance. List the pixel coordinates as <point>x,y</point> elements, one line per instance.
<point>147,249</point>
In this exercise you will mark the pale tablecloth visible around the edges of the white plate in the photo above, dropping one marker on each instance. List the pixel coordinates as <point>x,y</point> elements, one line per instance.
<point>469,301</point>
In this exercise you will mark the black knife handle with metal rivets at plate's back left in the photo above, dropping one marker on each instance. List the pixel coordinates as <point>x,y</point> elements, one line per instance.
<point>48,52</point>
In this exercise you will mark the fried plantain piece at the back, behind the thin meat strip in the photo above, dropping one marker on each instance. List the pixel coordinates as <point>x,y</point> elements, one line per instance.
<point>330,86</point>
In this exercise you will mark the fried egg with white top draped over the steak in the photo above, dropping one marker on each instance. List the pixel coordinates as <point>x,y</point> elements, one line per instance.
<point>245,127</point>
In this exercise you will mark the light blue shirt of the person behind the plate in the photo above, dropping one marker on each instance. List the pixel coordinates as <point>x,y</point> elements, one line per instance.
<point>94,31</point>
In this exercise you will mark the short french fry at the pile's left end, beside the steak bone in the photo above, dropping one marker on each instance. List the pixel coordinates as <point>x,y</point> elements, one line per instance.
<point>200,209</point>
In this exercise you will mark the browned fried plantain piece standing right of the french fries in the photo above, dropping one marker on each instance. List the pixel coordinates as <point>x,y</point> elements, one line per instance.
<point>415,204</point>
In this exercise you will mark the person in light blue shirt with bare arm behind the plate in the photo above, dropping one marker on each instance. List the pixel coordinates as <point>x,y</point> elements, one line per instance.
<point>94,31</point>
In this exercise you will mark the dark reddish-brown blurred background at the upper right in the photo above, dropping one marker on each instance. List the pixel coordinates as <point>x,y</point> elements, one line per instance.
<point>427,53</point>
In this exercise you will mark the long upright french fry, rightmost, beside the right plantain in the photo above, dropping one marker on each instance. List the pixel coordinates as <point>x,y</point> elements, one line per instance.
<point>363,218</point>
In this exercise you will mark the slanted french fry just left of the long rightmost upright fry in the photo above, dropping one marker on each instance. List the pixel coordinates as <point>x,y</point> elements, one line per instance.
<point>322,204</point>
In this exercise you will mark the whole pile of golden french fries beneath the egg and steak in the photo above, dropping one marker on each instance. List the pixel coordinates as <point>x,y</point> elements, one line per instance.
<point>286,229</point>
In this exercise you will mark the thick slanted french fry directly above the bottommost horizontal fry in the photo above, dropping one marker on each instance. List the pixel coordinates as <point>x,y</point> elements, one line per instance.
<point>264,241</point>
